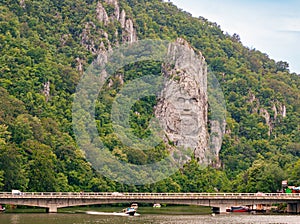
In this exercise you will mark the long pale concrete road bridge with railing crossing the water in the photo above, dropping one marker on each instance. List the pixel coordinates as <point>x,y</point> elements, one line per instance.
<point>54,200</point>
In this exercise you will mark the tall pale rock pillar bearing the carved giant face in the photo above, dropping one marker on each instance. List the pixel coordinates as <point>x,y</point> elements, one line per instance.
<point>183,103</point>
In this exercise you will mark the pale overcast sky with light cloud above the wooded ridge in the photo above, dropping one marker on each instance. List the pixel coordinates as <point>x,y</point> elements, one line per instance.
<point>271,26</point>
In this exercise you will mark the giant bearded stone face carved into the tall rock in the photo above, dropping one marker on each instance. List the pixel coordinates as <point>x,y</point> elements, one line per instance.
<point>180,112</point>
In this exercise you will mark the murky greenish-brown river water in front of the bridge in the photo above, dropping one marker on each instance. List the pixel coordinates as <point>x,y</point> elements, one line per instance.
<point>81,217</point>
